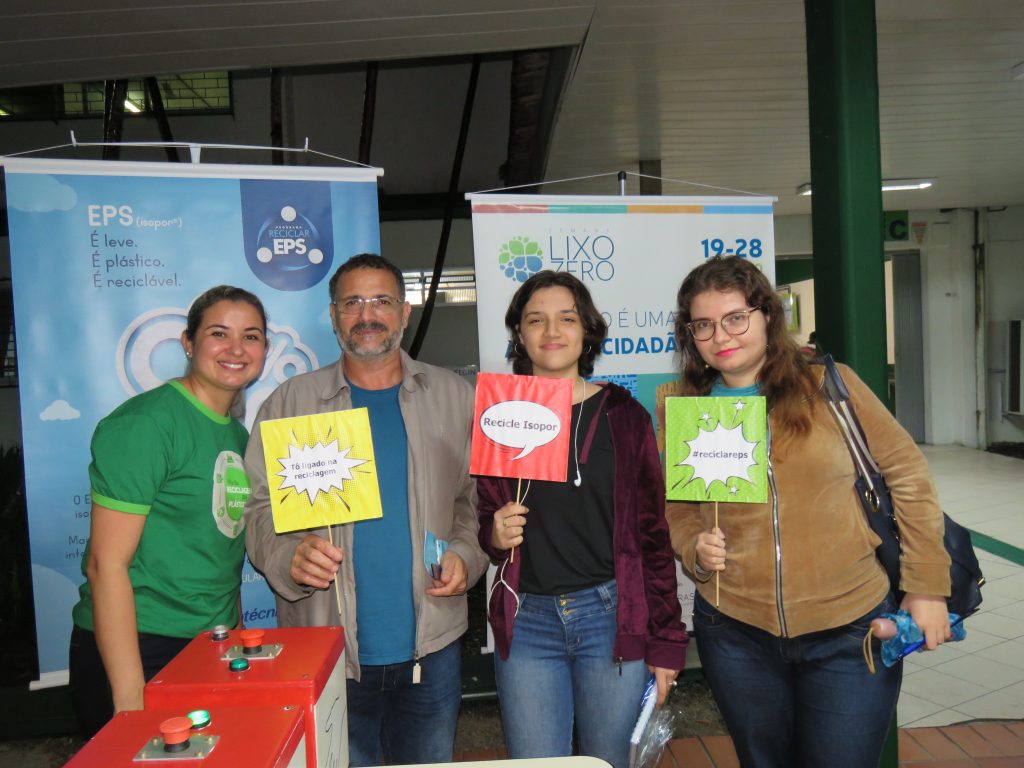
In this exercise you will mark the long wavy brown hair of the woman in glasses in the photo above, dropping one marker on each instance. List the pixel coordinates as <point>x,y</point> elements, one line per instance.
<point>786,379</point>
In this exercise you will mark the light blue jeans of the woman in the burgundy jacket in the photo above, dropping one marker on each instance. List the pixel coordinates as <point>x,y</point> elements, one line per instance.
<point>561,665</point>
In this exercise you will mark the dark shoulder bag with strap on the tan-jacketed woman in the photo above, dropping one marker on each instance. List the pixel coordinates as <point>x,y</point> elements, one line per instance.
<point>965,574</point>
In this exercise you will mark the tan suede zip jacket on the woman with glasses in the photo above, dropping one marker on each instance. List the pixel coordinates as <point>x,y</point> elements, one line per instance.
<point>805,562</point>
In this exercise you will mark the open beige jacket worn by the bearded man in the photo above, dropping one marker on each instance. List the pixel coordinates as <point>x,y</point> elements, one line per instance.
<point>438,408</point>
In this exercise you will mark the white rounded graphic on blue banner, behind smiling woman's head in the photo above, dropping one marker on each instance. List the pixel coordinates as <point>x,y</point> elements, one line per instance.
<point>150,353</point>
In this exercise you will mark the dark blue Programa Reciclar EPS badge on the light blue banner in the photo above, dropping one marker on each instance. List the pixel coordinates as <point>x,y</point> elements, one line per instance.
<point>288,232</point>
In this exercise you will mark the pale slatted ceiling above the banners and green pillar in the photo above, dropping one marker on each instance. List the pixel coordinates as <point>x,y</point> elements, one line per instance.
<point>716,91</point>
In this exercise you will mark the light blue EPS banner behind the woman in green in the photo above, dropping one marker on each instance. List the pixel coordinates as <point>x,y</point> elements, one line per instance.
<point>106,260</point>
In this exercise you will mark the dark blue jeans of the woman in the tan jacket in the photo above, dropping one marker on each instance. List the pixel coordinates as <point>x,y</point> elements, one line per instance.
<point>807,701</point>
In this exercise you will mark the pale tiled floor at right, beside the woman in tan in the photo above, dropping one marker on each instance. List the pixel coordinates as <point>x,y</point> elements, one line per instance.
<point>984,676</point>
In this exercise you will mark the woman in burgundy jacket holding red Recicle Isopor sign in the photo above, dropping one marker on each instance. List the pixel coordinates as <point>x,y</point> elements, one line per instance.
<point>586,611</point>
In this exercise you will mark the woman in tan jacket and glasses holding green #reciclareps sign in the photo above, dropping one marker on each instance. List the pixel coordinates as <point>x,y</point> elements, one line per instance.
<point>799,582</point>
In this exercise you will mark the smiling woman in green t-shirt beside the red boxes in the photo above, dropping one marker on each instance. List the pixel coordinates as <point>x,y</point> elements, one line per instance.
<point>168,486</point>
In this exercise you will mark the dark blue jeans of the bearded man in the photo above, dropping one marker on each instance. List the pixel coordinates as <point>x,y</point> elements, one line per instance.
<point>391,716</point>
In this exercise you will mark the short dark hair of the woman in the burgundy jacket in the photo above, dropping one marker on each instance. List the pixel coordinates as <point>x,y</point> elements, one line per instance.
<point>594,327</point>
